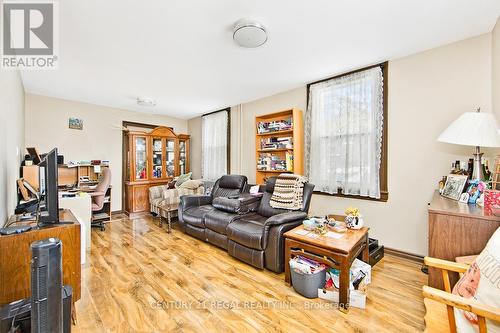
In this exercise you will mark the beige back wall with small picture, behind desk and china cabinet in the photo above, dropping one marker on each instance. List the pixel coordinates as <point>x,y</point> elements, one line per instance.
<point>101,137</point>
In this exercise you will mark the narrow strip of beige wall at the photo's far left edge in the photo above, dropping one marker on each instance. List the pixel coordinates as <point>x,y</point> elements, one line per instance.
<point>12,139</point>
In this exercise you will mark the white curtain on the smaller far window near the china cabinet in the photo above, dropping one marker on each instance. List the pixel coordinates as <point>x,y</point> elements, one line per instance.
<point>214,145</point>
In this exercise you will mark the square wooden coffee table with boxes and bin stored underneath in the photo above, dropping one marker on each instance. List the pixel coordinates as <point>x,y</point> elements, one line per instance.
<point>335,253</point>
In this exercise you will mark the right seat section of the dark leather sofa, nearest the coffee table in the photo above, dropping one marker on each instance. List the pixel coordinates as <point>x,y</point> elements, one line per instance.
<point>257,238</point>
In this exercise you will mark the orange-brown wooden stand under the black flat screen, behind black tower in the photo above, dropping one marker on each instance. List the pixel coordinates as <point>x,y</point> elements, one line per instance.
<point>15,257</point>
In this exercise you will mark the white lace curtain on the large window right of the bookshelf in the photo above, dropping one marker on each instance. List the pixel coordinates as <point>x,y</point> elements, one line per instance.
<point>344,122</point>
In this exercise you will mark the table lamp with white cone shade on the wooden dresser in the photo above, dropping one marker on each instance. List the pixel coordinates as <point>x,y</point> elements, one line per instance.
<point>476,129</point>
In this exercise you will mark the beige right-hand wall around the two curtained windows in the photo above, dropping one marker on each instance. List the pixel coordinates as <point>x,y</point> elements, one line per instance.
<point>427,91</point>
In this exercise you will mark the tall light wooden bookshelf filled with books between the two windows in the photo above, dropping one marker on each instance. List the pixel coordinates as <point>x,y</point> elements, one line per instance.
<point>274,154</point>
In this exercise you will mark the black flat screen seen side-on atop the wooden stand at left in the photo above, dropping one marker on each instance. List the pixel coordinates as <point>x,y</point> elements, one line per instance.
<point>49,200</point>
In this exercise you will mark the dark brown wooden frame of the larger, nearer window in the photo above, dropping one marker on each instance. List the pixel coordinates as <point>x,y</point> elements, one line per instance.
<point>383,171</point>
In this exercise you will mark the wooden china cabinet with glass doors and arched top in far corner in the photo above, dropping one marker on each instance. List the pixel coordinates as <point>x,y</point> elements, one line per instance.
<point>151,159</point>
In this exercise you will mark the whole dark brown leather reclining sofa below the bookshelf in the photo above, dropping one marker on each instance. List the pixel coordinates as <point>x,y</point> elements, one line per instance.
<point>249,229</point>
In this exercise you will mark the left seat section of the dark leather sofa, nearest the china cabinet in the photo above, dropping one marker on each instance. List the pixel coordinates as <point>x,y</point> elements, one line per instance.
<point>194,208</point>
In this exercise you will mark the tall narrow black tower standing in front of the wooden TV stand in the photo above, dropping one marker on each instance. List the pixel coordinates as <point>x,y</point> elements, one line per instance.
<point>46,286</point>
